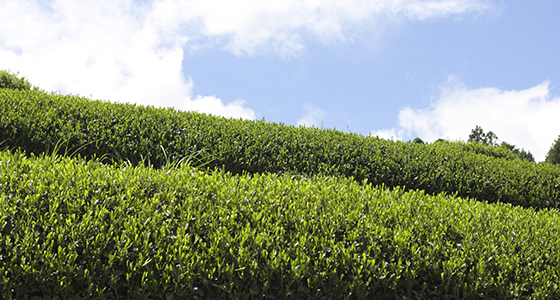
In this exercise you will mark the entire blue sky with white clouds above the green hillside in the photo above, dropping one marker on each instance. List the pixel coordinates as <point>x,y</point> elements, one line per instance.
<point>396,69</point>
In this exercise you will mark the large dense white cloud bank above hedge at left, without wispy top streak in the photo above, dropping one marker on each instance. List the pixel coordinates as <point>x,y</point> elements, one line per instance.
<point>119,51</point>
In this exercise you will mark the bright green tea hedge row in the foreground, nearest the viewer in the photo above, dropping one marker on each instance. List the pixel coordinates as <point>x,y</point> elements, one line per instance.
<point>79,229</point>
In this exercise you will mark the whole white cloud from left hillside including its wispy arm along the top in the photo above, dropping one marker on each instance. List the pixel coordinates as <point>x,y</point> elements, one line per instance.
<point>132,51</point>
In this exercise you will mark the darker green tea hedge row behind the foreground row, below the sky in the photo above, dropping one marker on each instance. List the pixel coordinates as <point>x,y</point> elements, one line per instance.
<point>36,121</point>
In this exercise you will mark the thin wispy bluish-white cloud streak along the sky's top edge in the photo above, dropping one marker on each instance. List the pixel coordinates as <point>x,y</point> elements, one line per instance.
<point>247,27</point>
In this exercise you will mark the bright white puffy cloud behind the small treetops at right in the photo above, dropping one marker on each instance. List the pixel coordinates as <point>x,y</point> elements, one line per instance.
<point>526,118</point>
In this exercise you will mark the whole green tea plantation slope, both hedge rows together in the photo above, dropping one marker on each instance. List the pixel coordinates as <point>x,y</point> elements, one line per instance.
<point>102,200</point>
